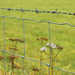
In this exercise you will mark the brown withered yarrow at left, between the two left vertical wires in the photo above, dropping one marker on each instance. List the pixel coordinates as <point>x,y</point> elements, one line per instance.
<point>13,57</point>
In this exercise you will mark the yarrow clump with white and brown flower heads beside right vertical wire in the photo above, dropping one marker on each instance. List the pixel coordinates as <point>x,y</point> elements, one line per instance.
<point>50,46</point>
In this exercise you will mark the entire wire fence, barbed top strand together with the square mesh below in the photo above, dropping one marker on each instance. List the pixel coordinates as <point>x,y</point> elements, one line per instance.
<point>23,19</point>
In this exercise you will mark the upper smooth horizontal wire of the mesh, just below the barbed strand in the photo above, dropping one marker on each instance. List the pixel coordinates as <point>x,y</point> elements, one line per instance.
<point>39,21</point>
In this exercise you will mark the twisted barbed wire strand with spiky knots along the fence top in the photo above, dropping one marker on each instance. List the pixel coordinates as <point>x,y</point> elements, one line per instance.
<point>38,11</point>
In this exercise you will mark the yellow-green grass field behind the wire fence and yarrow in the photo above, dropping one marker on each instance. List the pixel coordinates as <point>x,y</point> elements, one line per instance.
<point>61,35</point>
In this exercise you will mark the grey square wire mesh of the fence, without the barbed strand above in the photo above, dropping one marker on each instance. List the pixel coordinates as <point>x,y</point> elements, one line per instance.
<point>23,57</point>
